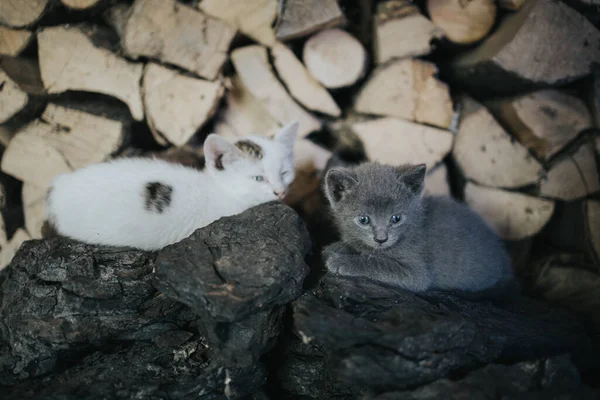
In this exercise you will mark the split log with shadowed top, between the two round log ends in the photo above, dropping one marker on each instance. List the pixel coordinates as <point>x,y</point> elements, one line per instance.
<point>402,31</point>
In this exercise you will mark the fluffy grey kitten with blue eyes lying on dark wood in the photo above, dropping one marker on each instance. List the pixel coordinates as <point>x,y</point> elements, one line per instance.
<point>391,233</point>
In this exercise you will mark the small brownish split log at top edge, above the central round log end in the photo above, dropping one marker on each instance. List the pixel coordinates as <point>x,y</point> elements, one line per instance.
<point>299,18</point>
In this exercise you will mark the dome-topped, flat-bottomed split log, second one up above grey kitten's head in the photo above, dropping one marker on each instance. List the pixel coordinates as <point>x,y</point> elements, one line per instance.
<point>407,89</point>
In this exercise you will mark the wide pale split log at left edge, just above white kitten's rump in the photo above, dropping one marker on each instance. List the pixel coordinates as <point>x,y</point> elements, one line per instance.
<point>62,140</point>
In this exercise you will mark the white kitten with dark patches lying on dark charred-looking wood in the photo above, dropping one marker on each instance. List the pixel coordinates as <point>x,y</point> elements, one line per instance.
<point>148,204</point>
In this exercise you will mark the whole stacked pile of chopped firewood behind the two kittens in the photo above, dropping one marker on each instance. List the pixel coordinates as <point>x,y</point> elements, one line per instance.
<point>501,100</point>
